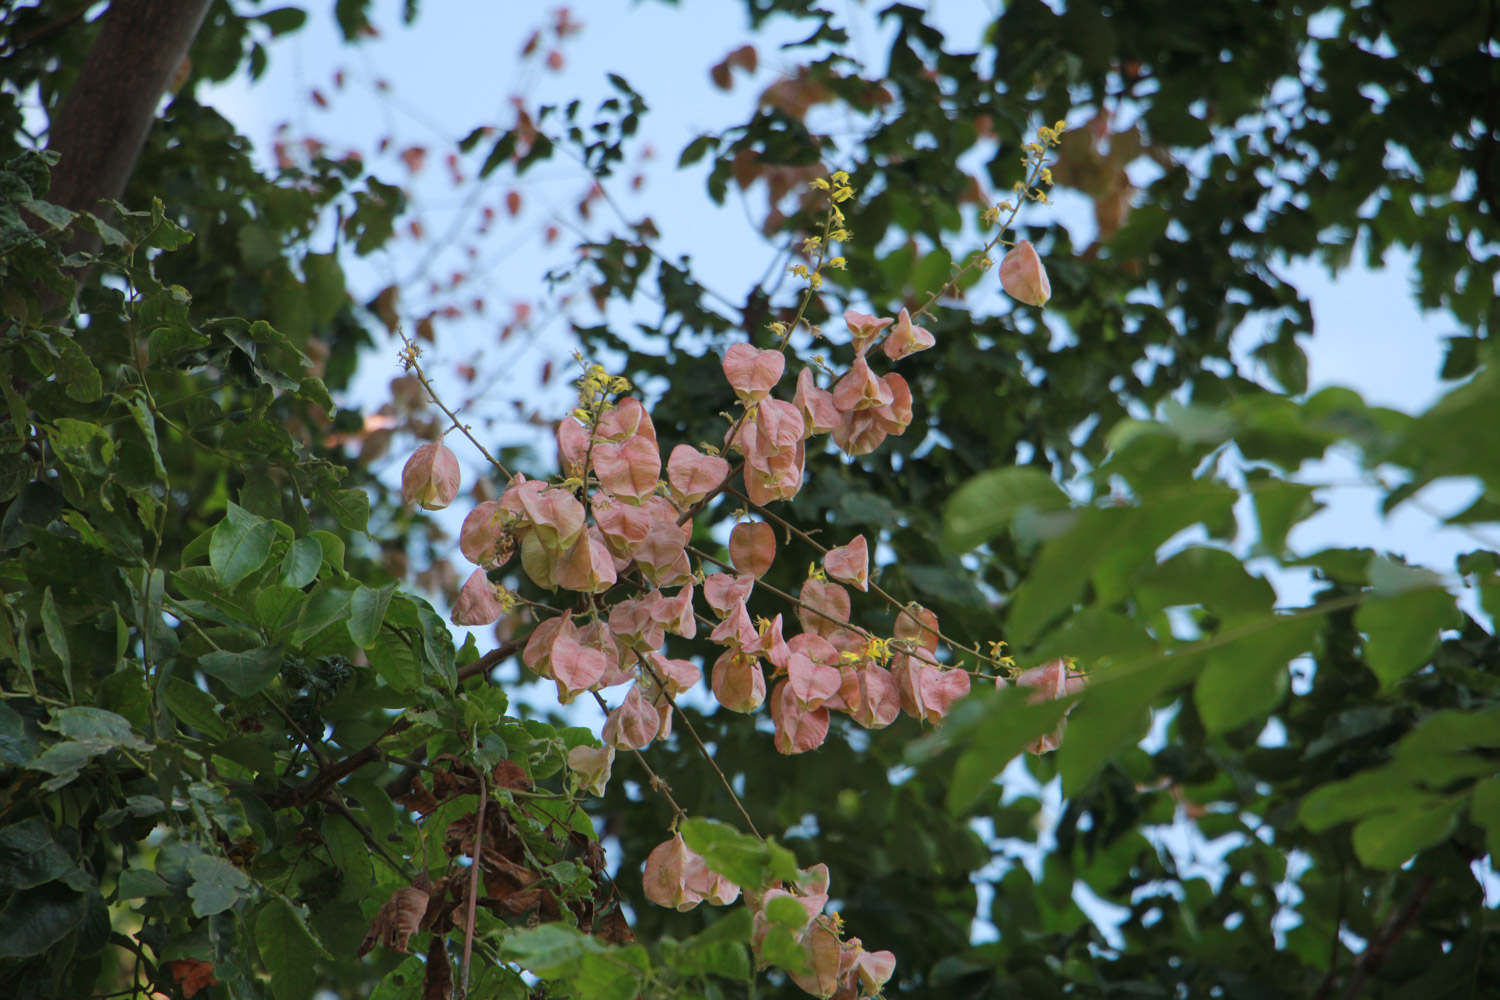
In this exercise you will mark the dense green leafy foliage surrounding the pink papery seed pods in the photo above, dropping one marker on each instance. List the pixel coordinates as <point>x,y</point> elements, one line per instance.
<point>215,695</point>
